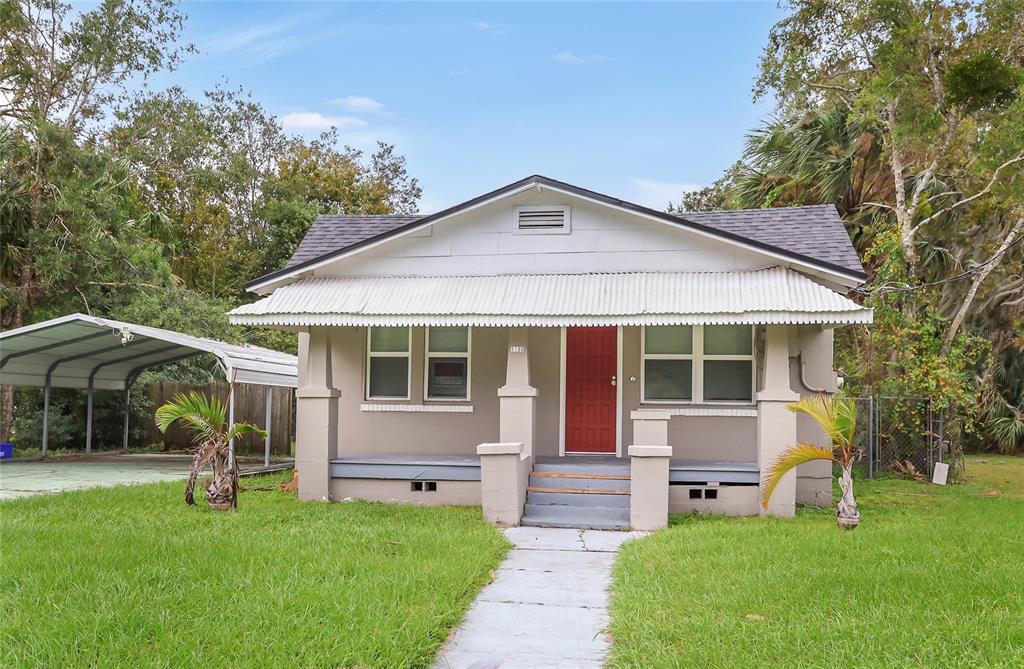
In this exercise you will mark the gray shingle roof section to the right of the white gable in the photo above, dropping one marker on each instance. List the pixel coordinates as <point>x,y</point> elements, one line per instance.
<point>816,232</point>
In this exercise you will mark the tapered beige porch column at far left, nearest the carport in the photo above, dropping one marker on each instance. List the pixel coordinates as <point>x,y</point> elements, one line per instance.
<point>316,415</point>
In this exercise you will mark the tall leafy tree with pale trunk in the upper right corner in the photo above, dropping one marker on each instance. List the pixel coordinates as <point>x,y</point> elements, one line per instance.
<point>923,74</point>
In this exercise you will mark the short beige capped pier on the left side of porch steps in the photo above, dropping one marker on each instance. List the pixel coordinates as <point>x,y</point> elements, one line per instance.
<point>504,478</point>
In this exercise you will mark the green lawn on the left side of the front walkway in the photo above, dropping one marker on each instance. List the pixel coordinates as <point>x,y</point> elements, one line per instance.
<point>133,577</point>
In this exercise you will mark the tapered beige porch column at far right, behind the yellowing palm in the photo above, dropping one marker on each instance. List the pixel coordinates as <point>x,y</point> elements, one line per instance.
<point>777,425</point>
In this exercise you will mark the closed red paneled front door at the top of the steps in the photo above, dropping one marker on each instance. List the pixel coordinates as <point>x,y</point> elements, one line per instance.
<point>590,390</point>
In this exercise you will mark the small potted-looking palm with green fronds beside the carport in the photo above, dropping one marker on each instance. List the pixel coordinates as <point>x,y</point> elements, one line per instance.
<point>206,419</point>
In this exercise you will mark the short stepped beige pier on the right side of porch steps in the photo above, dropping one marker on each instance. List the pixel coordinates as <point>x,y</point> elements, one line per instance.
<point>650,458</point>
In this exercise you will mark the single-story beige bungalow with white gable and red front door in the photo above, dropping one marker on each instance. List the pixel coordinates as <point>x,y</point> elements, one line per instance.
<point>563,357</point>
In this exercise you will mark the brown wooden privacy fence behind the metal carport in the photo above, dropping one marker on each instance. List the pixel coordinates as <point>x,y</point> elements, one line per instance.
<point>250,406</point>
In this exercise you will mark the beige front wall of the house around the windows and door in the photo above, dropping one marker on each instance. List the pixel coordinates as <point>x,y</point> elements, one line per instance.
<point>702,438</point>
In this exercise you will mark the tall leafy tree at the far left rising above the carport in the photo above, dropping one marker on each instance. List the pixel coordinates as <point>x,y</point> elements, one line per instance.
<point>64,207</point>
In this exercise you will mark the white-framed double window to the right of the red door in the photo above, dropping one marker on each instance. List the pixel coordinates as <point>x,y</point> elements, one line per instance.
<point>698,364</point>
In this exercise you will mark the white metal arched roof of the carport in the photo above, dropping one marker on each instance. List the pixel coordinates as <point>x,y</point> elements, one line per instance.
<point>73,349</point>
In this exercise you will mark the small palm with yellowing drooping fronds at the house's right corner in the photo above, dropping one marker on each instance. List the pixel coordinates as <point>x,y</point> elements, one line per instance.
<point>838,417</point>
